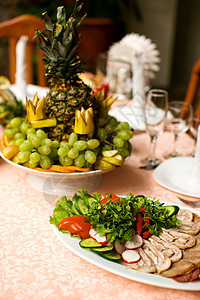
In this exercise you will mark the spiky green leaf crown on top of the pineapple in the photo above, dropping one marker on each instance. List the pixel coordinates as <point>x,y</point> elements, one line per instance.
<point>59,42</point>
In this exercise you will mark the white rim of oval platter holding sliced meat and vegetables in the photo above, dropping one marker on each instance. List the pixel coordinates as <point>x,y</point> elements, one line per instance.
<point>120,268</point>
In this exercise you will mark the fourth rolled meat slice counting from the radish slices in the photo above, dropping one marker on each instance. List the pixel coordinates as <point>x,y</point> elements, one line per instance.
<point>179,239</point>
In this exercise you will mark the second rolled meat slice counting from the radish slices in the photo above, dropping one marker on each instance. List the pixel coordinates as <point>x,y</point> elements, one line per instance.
<point>160,260</point>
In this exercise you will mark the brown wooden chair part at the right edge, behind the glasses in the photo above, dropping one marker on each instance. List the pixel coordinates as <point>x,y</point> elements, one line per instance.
<point>192,94</point>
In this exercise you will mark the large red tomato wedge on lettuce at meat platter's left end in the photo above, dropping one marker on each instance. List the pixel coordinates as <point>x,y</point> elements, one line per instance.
<point>77,224</point>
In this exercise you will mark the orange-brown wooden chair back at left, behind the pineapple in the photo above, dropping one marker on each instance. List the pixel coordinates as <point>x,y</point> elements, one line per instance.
<point>13,29</point>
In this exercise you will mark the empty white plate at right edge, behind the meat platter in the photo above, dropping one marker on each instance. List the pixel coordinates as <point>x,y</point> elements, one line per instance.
<point>178,174</point>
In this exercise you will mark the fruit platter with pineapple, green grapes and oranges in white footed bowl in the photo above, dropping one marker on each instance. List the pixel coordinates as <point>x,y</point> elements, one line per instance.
<point>67,134</point>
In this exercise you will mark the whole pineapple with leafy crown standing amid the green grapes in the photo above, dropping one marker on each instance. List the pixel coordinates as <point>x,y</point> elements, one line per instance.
<point>68,93</point>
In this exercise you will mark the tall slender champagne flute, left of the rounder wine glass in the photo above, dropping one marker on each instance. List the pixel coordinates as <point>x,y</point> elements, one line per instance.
<point>155,112</point>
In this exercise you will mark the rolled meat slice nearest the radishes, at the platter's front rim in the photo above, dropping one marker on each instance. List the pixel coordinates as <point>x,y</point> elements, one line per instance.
<point>145,264</point>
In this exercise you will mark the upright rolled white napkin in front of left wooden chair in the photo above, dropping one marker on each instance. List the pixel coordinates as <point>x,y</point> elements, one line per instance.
<point>21,68</point>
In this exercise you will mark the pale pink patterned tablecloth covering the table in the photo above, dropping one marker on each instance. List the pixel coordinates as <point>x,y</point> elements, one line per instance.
<point>34,264</point>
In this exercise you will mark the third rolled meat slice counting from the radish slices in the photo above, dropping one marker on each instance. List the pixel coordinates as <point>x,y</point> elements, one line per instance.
<point>172,251</point>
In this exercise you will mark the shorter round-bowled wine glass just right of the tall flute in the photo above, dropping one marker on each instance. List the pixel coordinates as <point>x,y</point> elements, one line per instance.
<point>179,118</point>
